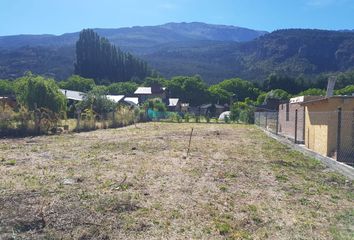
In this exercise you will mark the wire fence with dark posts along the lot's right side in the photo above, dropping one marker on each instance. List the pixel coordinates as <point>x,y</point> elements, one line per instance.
<point>329,133</point>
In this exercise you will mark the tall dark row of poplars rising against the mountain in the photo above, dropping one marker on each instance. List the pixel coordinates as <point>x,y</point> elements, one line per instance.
<point>97,58</point>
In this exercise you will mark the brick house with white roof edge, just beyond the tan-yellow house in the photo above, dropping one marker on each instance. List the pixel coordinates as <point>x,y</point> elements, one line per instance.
<point>291,116</point>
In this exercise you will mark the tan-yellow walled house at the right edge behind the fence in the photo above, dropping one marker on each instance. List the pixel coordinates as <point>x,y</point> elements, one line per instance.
<point>323,118</point>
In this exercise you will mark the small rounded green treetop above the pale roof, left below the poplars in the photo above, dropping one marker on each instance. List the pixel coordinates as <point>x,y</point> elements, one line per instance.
<point>77,83</point>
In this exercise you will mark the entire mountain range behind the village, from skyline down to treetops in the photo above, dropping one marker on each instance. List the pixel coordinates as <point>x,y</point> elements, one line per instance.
<point>215,52</point>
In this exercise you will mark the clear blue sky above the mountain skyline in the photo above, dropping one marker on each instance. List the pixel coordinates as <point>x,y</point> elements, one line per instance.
<point>61,16</point>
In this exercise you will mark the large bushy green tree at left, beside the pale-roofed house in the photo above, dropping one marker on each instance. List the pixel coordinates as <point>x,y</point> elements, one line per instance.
<point>38,92</point>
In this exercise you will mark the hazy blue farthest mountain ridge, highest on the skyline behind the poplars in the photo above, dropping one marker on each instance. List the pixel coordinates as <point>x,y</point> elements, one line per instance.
<point>140,37</point>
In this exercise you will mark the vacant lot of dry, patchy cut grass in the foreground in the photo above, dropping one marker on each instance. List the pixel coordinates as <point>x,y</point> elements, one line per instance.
<point>137,183</point>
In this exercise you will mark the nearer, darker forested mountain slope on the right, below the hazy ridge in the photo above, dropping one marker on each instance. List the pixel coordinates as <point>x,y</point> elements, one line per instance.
<point>292,52</point>
